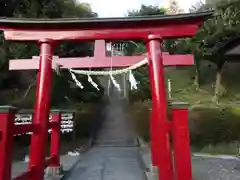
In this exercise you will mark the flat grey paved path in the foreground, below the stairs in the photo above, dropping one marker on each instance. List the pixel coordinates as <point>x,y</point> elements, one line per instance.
<point>109,163</point>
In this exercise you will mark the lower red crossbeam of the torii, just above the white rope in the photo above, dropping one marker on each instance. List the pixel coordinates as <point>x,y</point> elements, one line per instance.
<point>97,62</point>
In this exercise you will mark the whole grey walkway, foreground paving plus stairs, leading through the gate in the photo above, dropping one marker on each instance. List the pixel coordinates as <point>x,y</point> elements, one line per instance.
<point>115,155</point>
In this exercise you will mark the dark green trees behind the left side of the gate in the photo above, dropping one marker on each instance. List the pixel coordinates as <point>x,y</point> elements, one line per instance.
<point>62,92</point>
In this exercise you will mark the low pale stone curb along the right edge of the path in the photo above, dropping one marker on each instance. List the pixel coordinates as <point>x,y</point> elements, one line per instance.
<point>151,172</point>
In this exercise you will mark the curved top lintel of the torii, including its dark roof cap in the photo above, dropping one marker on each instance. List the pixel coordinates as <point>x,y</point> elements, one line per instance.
<point>168,26</point>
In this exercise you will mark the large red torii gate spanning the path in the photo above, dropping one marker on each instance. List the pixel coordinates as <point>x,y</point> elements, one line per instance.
<point>151,29</point>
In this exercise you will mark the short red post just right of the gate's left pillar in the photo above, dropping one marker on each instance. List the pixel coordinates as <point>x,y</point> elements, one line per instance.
<point>55,139</point>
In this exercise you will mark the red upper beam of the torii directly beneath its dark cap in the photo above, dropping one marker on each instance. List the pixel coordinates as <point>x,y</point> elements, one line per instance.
<point>166,31</point>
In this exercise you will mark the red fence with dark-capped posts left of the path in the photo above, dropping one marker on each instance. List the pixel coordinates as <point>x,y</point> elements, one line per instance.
<point>12,124</point>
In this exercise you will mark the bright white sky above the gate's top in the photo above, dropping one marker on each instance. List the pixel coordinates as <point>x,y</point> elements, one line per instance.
<point>118,8</point>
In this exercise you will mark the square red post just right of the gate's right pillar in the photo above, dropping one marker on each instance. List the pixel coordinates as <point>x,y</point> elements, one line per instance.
<point>181,144</point>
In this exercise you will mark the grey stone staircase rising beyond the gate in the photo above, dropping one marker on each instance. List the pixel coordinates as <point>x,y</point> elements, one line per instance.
<point>116,129</point>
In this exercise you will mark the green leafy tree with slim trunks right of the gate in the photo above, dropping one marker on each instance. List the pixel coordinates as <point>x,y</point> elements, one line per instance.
<point>223,26</point>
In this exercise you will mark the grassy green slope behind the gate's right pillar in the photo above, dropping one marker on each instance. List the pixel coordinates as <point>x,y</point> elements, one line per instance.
<point>184,90</point>
